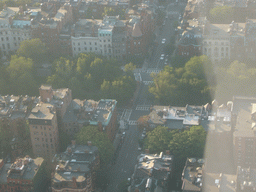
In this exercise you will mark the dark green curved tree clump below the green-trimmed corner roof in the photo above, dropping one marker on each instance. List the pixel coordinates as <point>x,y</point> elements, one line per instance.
<point>98,139</point>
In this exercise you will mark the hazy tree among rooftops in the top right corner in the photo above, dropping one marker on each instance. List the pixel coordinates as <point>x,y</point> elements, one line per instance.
<point>221,14</point>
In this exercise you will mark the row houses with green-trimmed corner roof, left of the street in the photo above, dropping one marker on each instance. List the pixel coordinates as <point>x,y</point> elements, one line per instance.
<point>101,114</point>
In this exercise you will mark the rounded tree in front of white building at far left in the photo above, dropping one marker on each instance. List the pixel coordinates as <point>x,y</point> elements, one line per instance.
<point>33,49</point>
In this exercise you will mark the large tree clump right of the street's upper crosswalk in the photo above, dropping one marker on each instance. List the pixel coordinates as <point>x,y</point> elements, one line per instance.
<point>180,86</point>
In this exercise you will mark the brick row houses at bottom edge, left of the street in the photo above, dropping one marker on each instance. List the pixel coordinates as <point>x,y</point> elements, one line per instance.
<point>76,169</point>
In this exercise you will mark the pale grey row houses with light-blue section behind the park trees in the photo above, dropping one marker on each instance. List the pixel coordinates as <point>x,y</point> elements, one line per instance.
<point>106,37</point>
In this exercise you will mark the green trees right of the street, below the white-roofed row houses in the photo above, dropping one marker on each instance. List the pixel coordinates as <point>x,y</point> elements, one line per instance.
<point>188,143</point>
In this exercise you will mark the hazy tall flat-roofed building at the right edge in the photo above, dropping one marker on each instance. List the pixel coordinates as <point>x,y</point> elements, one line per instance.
<point>244,135</point>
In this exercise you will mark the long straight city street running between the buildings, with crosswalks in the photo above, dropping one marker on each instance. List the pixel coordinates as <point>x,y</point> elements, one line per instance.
<point>127,156</point>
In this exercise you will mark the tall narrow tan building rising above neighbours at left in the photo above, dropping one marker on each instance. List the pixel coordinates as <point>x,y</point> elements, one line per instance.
<point>44,130</point>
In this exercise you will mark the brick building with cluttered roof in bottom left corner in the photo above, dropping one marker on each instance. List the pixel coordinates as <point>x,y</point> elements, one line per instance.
<point>20,175</point>
